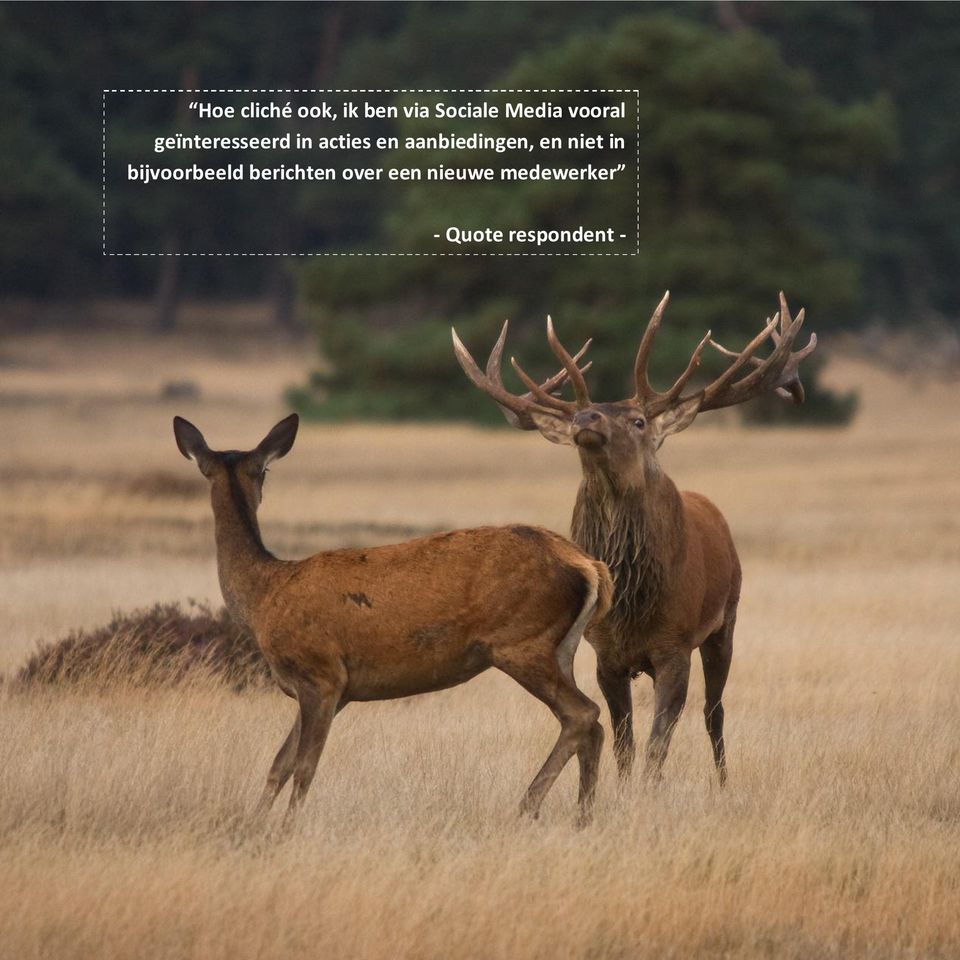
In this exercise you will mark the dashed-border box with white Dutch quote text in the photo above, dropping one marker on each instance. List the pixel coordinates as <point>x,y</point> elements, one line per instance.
<point>493,172</point>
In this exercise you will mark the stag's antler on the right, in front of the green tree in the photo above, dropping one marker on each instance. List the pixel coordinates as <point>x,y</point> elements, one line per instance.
<point>779,372</point>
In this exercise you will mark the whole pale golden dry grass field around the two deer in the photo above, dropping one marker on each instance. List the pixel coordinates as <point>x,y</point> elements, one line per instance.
<point>122,811</point>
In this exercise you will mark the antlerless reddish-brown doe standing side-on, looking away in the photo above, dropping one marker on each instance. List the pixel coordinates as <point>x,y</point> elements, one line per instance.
<point>404,619</point>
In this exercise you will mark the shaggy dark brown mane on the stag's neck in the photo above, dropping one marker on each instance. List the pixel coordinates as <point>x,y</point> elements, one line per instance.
<point>637,532</point>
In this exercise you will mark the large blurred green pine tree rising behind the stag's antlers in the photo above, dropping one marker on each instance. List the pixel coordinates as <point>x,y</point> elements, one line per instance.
<point>738,154</point>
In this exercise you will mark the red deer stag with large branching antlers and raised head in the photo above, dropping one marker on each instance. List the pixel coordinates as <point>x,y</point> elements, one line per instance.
<point>675,569</point>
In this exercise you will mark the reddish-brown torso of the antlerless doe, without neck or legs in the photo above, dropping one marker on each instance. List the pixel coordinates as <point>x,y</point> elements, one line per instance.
<point>426,614</point>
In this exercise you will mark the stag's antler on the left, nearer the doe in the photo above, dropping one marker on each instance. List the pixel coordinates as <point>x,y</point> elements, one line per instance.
<point>517,408</point>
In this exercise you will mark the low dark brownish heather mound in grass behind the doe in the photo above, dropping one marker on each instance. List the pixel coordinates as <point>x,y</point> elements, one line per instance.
<point>162,645</point>
